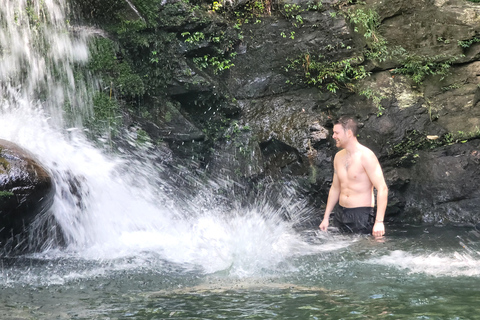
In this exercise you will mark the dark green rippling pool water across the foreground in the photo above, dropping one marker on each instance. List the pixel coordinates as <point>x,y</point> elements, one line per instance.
<point>414,273</point>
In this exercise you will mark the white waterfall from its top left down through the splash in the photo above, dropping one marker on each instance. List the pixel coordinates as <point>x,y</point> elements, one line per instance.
<point>112,206</point>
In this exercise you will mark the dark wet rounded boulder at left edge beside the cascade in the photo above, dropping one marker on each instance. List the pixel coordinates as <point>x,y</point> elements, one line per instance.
<point>26,190</point>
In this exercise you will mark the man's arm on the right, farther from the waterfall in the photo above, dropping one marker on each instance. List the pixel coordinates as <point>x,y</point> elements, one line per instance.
<point>374,172</point>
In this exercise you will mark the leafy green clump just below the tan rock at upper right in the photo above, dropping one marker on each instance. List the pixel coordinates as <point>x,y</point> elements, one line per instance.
<point>419,67</point>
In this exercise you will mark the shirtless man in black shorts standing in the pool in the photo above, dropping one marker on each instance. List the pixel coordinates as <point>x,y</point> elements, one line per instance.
<point>356,172</point>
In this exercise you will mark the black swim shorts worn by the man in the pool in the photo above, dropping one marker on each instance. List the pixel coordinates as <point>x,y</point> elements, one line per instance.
<point>355,220</point>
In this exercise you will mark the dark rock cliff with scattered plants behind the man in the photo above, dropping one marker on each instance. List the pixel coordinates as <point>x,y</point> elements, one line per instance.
<point>262,118</point>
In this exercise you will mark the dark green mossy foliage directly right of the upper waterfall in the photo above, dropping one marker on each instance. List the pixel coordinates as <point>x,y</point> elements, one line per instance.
<point>143,41</point>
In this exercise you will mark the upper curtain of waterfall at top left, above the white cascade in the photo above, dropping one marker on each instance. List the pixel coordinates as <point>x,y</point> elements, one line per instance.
<point>38,54</point>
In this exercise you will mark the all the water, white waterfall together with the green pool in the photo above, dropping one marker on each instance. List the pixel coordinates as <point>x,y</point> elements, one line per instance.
<point>134,250</point>
